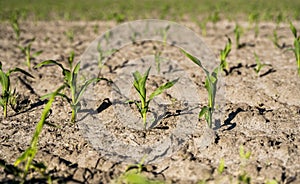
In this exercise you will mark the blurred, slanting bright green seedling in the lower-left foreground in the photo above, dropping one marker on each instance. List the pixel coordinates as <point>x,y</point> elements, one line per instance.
<point>29,154</point>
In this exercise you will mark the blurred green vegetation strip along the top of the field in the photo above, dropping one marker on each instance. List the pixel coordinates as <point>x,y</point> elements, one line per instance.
<point>121,10</point>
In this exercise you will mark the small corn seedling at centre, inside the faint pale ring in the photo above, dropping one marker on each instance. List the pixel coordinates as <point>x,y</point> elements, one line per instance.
<point>140,86</point>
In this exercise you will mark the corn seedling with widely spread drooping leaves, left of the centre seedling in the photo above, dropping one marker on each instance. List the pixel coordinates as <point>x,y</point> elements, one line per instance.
<point>70,79</point>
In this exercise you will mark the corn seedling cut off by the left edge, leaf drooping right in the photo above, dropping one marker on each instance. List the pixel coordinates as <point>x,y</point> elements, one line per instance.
<point>7,94</point>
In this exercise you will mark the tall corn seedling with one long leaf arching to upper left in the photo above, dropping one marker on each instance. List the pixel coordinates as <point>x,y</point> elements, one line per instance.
<point>211,88</point>
